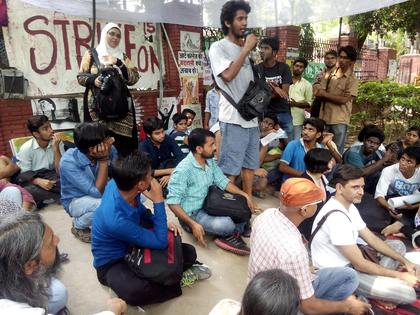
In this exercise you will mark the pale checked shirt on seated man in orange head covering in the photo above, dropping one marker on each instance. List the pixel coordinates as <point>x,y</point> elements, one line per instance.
<point>276,243</point>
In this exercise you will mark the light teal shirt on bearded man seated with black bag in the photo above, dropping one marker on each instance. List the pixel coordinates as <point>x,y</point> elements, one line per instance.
<point>190,183</point>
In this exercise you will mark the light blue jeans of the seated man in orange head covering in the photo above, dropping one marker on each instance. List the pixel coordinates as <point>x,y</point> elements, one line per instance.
<point>335,284</point>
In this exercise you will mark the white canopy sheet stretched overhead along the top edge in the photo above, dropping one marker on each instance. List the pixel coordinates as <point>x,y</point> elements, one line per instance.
<point>264,13</point>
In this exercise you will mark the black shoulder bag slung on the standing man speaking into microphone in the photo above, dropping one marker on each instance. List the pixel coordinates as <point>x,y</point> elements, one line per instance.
<point>256,98</point>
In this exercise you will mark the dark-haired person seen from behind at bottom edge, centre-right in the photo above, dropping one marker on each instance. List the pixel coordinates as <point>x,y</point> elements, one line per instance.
<point>270,292</point>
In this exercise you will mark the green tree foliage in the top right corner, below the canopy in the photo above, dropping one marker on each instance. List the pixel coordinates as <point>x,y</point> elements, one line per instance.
<point>404,16</point>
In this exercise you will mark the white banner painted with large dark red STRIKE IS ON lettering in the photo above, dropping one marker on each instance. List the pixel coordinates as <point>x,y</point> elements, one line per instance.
<point>48,48</point>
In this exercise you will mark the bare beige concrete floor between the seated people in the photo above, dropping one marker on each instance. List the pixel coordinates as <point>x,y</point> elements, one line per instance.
<point>88,296</point>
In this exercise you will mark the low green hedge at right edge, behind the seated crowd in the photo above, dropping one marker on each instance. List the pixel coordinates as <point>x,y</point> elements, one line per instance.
<point>392,106</point>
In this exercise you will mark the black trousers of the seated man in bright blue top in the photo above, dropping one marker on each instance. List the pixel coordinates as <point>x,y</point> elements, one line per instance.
<point>137,291</point>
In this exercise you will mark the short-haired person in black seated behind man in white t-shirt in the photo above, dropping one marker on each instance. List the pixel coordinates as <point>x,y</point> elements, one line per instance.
<point>318,162</point>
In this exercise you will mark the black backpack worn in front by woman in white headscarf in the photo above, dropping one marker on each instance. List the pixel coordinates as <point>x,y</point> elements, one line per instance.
<point>111,100</point>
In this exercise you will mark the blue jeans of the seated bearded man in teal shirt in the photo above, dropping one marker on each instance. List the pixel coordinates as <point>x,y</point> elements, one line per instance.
<point>218,226</point>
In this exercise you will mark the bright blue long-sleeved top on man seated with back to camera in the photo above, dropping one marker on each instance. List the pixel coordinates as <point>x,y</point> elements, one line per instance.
<point>116,225</point>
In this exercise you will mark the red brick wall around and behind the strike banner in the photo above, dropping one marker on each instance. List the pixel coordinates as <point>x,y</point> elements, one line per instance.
<point>14,113</point>
